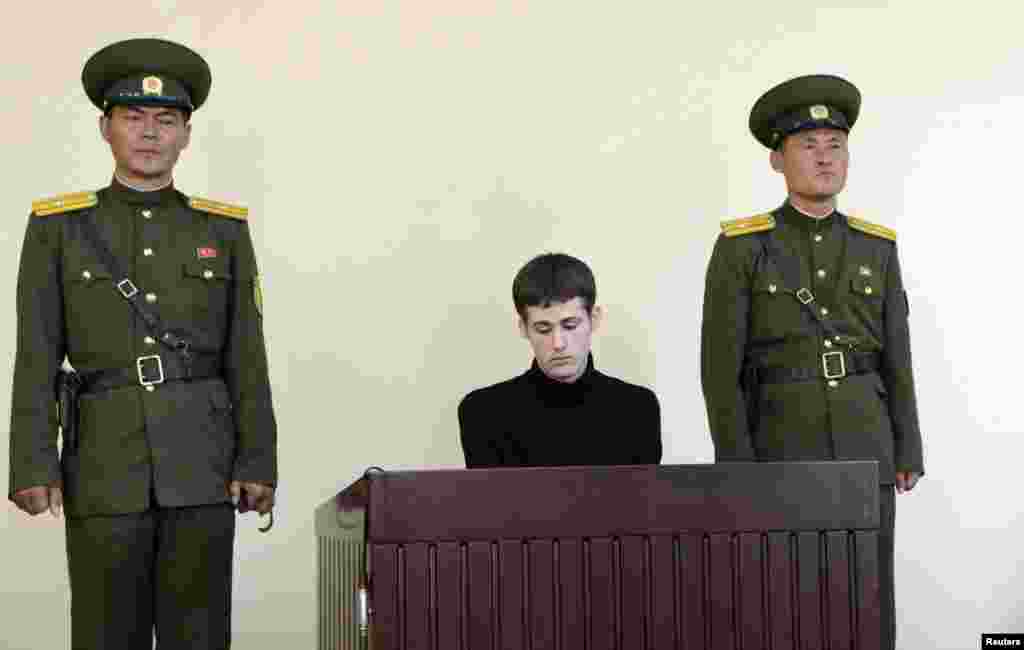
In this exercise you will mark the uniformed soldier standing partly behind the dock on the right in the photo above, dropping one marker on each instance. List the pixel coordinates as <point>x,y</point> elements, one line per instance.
<point>805,344</point>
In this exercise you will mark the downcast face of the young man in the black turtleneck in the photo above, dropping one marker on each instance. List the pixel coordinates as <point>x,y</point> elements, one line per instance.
<point>561,335</point>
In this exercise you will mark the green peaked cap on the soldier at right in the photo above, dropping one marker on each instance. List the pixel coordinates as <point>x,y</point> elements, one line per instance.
<point>814,102</point>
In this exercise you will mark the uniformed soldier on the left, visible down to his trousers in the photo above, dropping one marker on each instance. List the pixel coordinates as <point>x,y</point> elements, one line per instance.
<point>154,298</point>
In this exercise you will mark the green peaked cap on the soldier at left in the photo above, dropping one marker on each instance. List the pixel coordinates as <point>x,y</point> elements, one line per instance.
<point>147,72</point>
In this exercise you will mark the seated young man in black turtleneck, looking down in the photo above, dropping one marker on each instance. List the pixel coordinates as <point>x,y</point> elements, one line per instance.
<point>563,411</point>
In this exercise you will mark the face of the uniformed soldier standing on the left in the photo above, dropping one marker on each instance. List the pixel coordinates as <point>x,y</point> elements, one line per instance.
<point>146,141</point>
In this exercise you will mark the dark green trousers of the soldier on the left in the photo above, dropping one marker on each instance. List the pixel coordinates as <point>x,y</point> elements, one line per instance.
<point>164,573</point>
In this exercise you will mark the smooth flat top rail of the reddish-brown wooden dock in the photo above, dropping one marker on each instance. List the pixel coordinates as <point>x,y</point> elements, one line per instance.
<point>584,502</point>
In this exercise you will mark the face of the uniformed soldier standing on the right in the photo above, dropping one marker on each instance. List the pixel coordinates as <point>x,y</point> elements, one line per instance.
<point>815,163</point>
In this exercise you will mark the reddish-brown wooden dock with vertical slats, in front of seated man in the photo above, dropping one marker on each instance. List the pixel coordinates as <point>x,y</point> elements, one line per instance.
<point>718,557</point>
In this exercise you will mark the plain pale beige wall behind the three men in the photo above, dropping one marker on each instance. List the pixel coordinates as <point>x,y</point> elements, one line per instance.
<point>403,160</point>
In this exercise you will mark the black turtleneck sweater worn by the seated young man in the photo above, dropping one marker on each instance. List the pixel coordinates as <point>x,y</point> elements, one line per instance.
<point>535,421</point>
